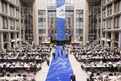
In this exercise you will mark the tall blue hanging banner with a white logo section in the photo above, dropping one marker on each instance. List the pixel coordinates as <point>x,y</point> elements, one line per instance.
<point>60,17</point>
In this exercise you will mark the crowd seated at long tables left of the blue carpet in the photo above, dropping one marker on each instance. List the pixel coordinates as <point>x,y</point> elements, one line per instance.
<point>26,59</point>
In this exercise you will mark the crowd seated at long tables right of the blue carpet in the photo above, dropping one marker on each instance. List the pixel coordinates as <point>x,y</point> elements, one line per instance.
<point>97,59</point>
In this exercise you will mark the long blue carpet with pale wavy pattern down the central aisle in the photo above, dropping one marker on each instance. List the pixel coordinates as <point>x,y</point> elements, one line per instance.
<point>60,68</point>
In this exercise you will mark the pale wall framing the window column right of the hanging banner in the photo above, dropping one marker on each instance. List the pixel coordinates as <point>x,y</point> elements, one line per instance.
<point>82,5</point>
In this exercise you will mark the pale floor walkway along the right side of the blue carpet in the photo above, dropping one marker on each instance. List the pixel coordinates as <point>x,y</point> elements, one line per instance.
<point>76,66</point>
